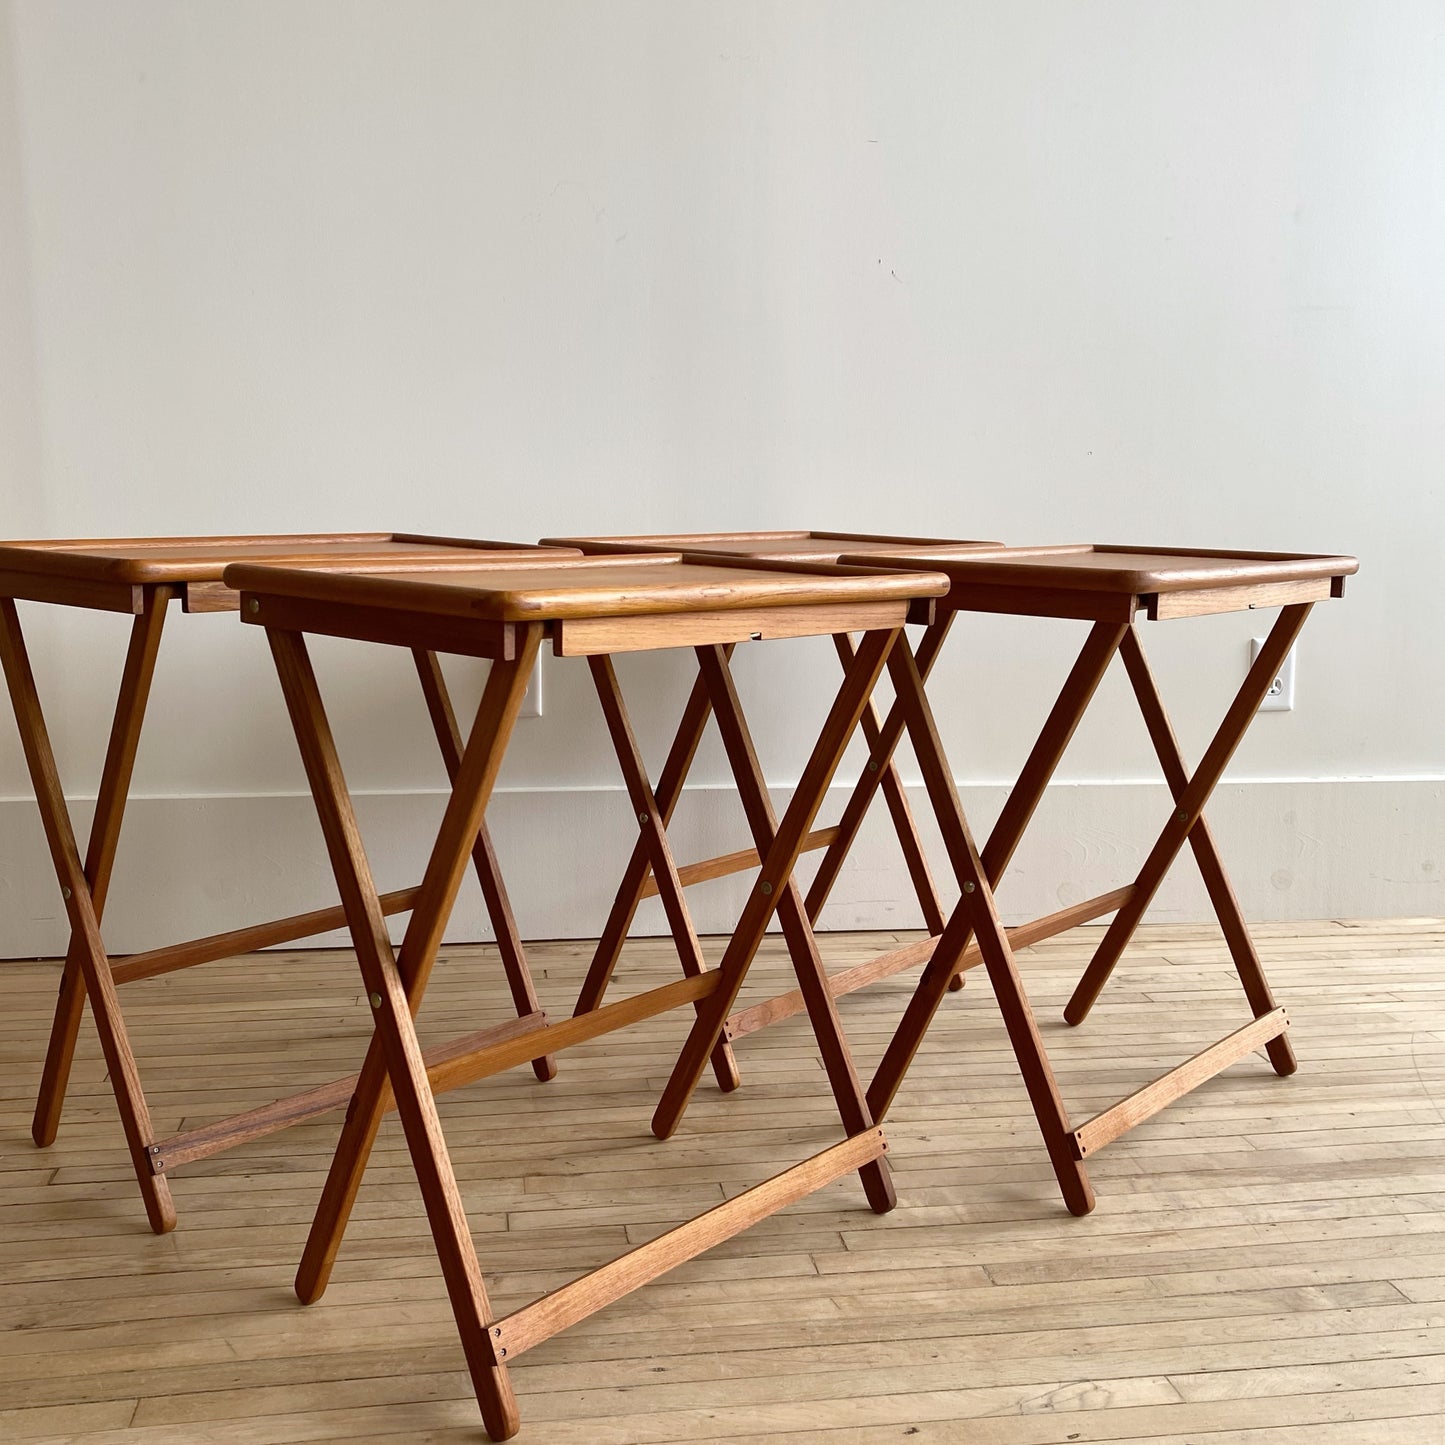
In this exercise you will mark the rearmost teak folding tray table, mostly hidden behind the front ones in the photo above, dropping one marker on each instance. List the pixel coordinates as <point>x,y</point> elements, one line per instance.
<point>647,875</point>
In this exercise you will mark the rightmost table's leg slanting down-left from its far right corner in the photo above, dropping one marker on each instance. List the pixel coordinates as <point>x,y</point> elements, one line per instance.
<point>1190,806</point>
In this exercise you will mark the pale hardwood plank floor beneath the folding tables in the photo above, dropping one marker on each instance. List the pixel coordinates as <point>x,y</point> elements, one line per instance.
<point>1267,1261</point>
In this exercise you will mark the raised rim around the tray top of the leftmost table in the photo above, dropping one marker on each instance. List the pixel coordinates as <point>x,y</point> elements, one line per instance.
<point>132,560</point>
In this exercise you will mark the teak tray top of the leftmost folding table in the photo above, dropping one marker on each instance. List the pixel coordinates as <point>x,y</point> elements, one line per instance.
<point>203,560</point>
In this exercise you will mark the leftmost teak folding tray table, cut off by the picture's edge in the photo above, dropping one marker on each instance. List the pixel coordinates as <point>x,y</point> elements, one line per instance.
<point>141,577</point>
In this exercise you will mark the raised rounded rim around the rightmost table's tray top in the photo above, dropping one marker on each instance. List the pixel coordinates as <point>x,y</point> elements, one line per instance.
<point>1047,566</point>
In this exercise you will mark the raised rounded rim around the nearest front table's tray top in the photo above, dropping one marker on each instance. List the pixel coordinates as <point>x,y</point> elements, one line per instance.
<point>404,590</point>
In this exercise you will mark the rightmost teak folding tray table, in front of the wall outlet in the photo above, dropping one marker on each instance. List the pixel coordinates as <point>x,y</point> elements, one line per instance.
<point>1109,587</point>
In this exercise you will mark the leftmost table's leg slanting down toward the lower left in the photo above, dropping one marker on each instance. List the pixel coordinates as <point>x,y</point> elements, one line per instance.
<point>100,855</point>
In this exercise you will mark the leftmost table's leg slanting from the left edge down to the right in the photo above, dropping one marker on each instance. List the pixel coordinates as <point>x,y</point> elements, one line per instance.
<point>95,965</point>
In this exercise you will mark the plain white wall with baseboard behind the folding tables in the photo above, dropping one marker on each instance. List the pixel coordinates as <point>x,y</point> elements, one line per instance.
<point>1165,272</point>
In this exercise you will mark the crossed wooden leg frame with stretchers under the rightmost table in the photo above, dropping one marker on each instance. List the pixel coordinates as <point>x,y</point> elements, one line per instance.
<point>976,917</point>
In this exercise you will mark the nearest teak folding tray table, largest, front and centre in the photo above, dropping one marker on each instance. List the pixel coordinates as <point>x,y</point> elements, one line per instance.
<point>592,608</point>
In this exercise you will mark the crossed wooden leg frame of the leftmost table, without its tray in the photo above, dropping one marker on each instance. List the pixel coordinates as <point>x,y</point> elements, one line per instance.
<point>90,972</point>
